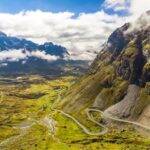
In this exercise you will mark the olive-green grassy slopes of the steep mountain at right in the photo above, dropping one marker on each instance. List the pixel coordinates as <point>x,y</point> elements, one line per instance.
<point>105,84</point>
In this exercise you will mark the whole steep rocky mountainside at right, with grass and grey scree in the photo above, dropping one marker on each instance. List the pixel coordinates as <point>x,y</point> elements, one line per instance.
<point>118,78</point>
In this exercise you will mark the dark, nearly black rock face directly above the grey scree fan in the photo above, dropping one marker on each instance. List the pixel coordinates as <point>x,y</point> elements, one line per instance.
<point>132,68</point>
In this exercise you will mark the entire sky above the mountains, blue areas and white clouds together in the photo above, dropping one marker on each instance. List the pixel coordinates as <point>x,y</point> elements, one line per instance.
<point>81,26</point>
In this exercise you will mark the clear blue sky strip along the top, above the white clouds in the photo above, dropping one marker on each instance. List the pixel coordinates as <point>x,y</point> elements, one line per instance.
<point>76,6</point>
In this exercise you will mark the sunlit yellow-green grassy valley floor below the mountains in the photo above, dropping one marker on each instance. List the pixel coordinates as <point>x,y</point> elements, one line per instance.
<point>28,120</point>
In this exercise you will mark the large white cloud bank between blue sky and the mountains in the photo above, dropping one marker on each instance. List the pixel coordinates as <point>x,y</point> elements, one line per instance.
<point>82,35</point>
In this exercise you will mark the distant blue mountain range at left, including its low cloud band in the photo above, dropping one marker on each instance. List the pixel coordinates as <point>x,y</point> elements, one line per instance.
<point>21,56</point>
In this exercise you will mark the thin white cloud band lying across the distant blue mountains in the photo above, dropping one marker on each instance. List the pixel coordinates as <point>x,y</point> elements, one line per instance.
<point>16,55</point>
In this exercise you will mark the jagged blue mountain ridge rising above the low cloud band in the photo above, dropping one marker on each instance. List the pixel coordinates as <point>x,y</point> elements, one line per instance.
<point>9,42</point>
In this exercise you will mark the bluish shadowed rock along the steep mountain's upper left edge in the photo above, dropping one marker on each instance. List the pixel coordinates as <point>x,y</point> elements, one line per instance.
<point>115,44</point>
